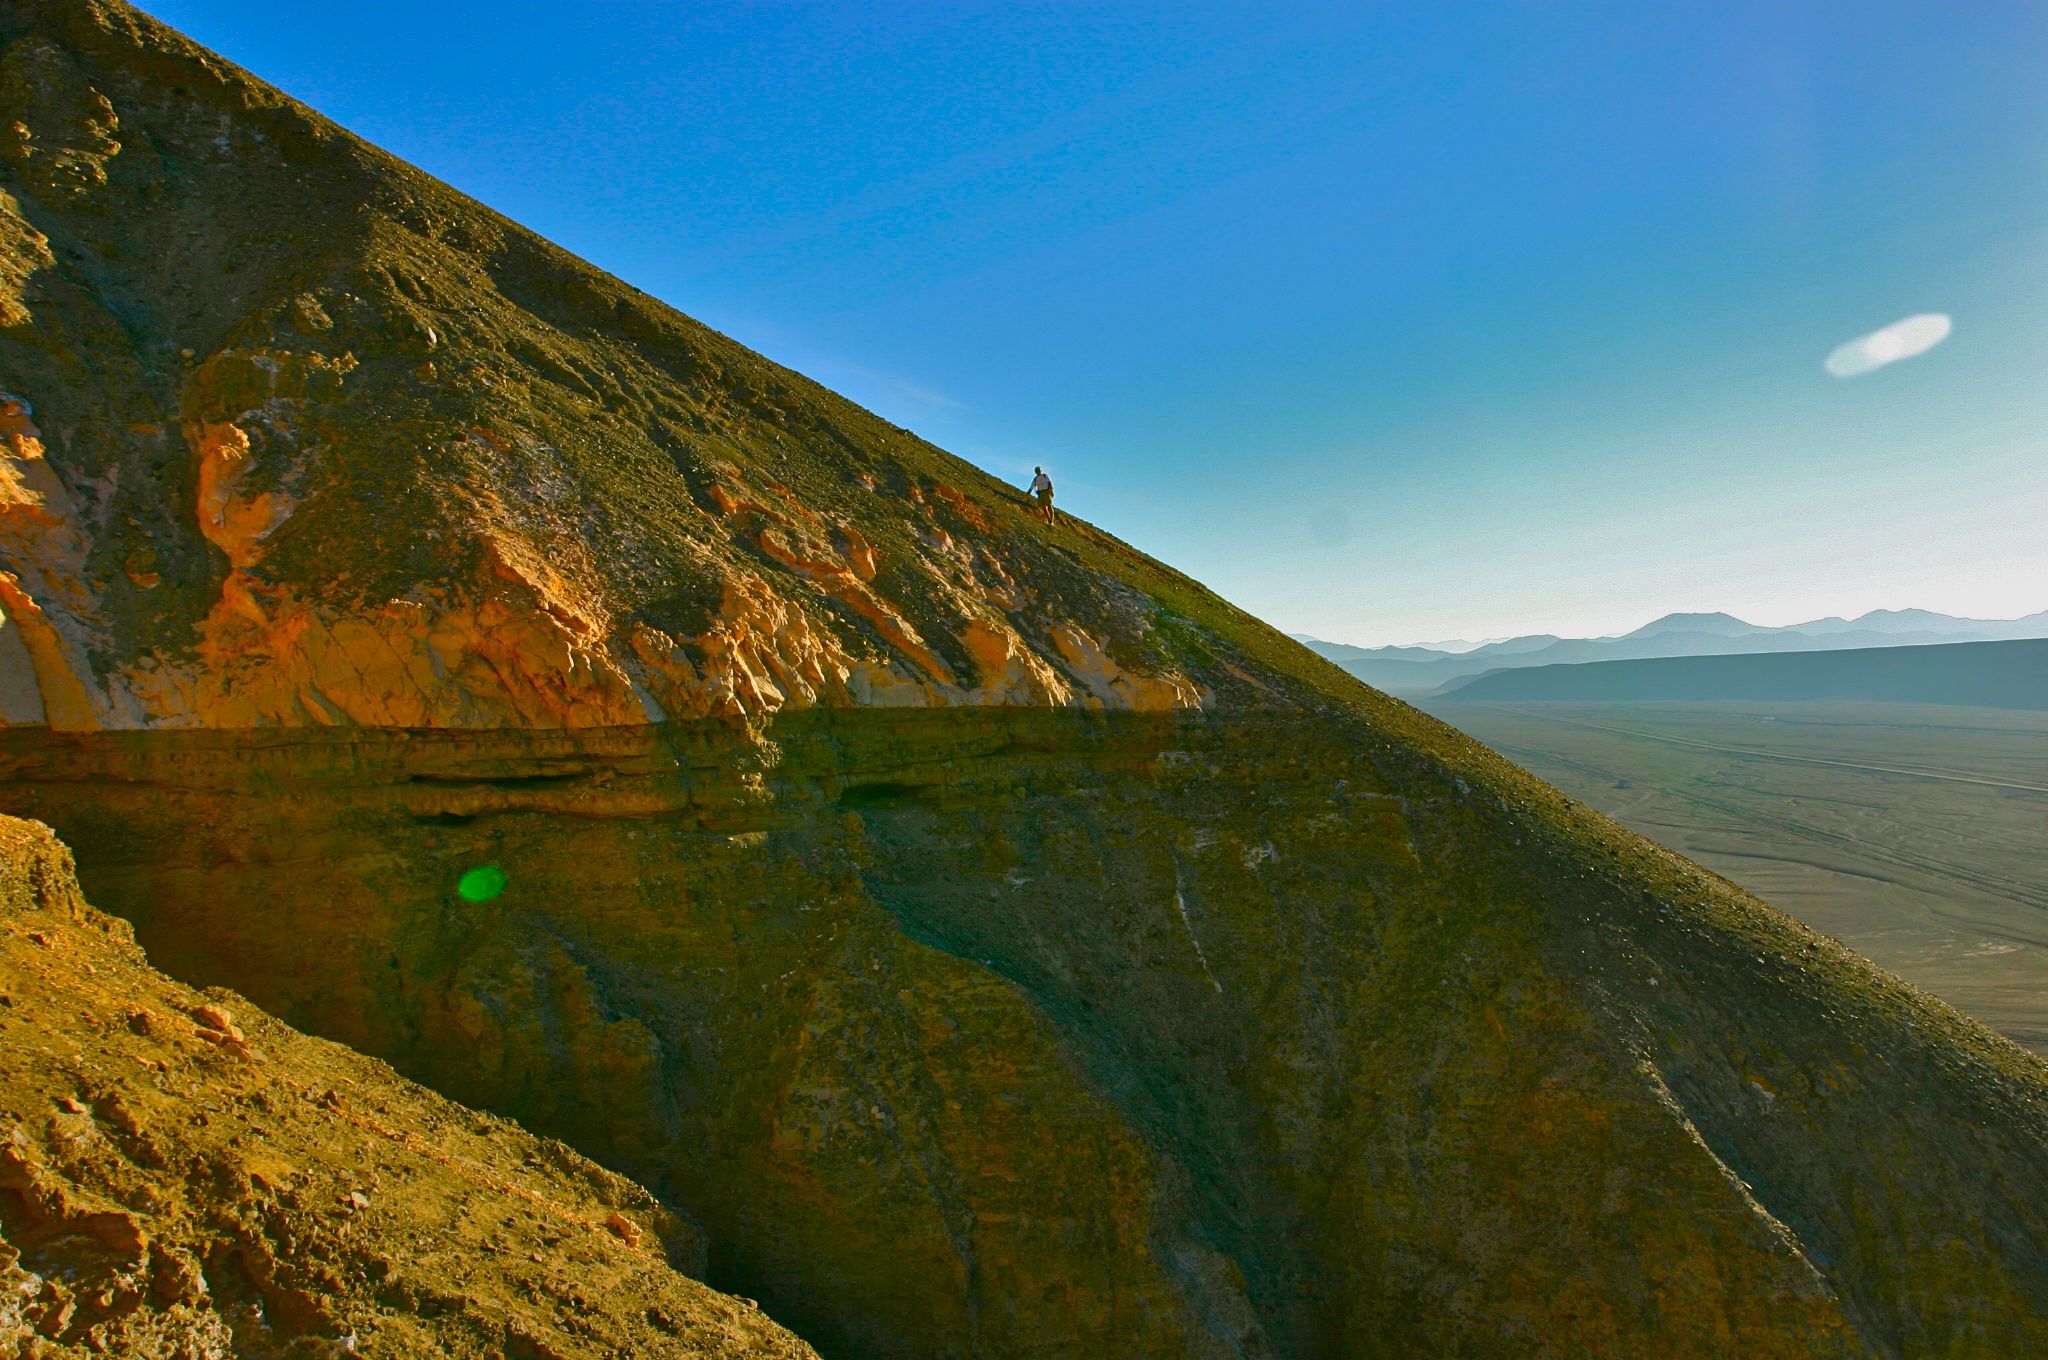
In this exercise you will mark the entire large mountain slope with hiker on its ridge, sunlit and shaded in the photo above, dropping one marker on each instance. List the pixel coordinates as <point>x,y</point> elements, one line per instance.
<point>994,941</point>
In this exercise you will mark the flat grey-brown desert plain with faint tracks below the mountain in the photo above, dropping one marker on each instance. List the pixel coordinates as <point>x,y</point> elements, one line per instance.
<point>1920,837</point>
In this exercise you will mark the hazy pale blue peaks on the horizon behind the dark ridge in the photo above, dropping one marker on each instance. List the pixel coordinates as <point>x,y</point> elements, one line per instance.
<point>1426,671</point>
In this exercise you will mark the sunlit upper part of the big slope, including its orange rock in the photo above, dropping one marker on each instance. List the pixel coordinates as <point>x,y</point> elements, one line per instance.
<point>292,435</point>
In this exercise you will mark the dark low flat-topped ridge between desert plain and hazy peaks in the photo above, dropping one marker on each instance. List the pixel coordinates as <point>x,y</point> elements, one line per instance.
<point>2010,675</point>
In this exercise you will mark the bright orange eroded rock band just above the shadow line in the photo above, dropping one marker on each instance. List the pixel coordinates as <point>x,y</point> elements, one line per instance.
<point>523,644</point>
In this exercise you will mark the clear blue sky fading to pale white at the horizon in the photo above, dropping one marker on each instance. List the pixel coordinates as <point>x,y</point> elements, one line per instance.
<point>1392,323</point>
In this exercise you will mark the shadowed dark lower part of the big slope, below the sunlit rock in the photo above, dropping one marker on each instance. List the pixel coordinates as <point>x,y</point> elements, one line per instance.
<point>996,1033</point>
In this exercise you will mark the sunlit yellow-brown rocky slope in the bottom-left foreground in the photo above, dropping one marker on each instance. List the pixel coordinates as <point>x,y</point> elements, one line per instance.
<point>185,1177</point>
